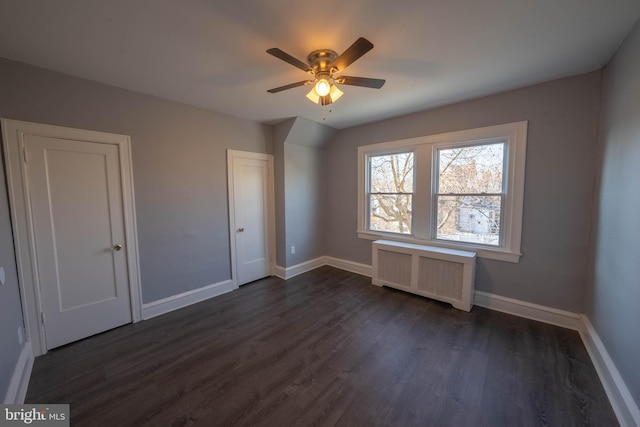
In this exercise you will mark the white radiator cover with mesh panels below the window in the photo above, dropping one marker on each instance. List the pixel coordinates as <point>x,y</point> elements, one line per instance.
<point>443,274</point>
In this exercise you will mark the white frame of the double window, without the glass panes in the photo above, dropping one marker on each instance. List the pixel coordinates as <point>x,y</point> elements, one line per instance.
<point>423,213</point>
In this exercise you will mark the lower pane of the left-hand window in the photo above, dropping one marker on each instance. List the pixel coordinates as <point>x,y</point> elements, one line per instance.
<point>390,213</point>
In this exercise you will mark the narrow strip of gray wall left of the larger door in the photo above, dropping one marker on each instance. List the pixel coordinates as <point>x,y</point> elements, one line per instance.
<point>10,307</point>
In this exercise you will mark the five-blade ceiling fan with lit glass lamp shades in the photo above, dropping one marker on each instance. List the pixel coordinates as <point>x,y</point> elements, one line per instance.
<point>326,66</point>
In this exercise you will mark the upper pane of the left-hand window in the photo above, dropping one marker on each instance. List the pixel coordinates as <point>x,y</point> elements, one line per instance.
<point>392,173</point>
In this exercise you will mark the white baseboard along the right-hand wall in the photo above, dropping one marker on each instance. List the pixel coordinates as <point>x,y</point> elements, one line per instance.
<point>624,406</point>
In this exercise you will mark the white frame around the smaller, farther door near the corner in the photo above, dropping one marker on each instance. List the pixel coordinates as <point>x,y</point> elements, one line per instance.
<point>271,215</point>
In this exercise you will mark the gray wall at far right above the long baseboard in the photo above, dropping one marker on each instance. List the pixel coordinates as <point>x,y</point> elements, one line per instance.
<point>613,297</point>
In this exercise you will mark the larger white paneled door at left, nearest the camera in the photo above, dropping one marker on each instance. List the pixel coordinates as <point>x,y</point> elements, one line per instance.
<point>78,226</point>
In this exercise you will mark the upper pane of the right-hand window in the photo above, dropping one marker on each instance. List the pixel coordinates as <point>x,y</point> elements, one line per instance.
<point>474,169</point>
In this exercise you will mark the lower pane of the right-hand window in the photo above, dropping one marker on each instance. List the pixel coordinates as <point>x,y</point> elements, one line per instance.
<point>473,219</point>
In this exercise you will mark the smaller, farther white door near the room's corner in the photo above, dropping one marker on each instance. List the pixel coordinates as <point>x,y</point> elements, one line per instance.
<point>250,186</point>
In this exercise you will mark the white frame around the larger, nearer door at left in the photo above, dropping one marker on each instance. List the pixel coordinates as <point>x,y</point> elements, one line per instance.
<point>13,133</point>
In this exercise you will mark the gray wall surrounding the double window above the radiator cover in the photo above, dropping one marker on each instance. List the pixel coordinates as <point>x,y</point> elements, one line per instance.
<point>561,145</point>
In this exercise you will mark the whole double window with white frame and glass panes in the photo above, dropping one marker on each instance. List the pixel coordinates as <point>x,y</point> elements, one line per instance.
<point>459,190</point>
